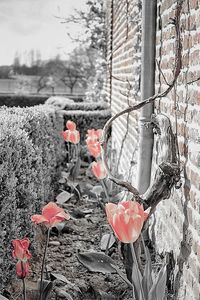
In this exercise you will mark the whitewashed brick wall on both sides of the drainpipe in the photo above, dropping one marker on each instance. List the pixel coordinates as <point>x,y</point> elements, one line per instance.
<point>176,226</point>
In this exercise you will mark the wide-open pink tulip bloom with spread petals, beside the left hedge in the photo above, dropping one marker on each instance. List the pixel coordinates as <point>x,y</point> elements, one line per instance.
<point>51,215</point>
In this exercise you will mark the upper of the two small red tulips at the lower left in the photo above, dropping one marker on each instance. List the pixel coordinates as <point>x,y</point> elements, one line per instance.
<point>21,251</point>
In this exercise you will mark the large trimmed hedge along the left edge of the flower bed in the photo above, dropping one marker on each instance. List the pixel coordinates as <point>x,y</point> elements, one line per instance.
<point>31,153</point>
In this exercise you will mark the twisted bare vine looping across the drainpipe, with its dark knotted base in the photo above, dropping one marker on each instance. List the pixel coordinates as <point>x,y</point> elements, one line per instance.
<point>167,174</point>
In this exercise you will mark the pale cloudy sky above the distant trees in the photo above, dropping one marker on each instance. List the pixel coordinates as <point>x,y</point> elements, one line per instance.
<point>36,24</point>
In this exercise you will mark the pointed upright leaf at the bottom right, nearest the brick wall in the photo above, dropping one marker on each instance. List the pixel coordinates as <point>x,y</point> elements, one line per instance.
<point>157,291</point>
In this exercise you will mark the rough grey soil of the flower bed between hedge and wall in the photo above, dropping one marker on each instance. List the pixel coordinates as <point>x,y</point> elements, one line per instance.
<point>82,233</point>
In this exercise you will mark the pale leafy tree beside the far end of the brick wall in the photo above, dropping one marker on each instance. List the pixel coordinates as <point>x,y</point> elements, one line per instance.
<point>94,41</point>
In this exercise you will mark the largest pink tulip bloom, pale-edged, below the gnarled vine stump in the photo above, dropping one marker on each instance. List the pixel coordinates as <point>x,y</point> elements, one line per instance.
<point>126,219</point>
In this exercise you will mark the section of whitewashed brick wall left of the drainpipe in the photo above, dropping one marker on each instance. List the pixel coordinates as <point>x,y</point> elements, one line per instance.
<point>123,87</point>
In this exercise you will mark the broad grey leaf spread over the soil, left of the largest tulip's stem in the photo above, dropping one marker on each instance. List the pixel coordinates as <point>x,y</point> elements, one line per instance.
<point>97,262</point>
